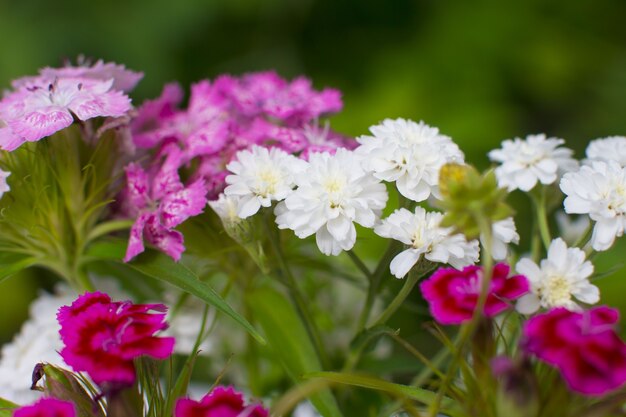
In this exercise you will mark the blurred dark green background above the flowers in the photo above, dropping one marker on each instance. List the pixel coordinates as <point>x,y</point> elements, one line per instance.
<point>482,71</point>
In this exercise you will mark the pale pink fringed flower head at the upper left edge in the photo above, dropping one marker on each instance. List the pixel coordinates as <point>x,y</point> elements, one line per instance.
<point>47,105</point>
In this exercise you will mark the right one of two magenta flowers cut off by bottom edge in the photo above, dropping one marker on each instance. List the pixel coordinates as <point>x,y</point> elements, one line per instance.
<point>221,402</point>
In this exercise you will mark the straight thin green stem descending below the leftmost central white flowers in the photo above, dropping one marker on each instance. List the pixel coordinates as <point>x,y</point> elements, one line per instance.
<point>294,293</point>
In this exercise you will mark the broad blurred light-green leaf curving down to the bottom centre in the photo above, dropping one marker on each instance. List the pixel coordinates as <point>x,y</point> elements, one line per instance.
<point>290,341</point>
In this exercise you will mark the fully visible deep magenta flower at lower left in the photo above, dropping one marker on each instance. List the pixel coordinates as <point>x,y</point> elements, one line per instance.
<point>102,337</point>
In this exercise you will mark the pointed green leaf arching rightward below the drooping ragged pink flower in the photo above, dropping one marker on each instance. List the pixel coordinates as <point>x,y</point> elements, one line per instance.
<point>159,266</point>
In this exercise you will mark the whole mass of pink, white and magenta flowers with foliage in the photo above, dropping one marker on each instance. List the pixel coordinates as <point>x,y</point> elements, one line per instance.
<point>276,242</point>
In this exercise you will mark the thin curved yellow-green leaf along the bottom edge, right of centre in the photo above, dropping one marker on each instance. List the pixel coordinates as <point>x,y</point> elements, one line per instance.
<point>448,405</point>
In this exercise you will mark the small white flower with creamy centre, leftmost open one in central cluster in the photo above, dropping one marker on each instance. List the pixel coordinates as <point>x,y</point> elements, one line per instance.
<point>261,176</point>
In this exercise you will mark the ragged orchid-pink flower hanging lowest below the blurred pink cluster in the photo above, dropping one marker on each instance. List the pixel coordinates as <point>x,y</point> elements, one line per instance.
<point>160,202</point>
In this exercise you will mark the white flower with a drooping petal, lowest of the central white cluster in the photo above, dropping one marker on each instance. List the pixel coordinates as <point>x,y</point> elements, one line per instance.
<point>421,231</point>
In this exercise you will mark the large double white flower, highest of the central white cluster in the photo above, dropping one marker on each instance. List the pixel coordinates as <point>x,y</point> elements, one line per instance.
<point>409,153</point>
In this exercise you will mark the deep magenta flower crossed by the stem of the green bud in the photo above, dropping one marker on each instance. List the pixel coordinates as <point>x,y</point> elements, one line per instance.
<point>453,294</point>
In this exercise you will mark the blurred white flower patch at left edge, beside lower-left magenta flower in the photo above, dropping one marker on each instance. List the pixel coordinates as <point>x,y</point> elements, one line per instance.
<point>37,341</point>
